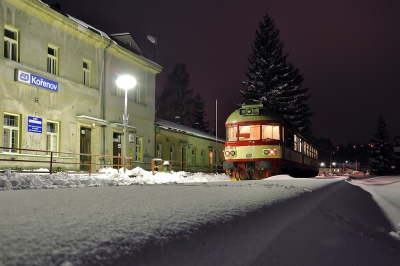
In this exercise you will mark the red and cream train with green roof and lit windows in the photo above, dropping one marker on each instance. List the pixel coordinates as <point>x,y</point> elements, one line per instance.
<point>260,143</point>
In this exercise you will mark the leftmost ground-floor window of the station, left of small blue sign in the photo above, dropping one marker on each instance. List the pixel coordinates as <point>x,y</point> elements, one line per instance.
<point>11,132</point>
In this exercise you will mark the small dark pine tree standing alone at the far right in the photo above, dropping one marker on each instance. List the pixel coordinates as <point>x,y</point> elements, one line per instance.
<point>382,150</point>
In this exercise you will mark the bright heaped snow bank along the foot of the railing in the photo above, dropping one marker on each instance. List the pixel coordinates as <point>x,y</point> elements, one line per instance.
<point>106,177</point>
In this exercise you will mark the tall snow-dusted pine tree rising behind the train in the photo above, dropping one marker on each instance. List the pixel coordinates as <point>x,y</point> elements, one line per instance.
<point>274,81</point>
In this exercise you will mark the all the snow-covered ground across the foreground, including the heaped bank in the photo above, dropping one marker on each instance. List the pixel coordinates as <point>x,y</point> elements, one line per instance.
<point>179,218</point>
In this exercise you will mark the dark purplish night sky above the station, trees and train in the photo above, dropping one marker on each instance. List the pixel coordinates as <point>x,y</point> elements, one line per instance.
<point>347,50</point>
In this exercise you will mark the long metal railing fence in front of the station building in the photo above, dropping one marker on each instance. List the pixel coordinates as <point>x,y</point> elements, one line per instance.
<point>27,160</point>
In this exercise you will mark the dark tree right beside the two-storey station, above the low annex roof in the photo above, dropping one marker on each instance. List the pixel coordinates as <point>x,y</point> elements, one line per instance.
<point>176,99</point>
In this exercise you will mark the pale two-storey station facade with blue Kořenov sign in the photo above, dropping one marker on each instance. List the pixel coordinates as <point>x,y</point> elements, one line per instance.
<point>58,87</point>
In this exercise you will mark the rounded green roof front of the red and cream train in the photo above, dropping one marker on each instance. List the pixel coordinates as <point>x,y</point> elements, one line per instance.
<point>254,111</point>
